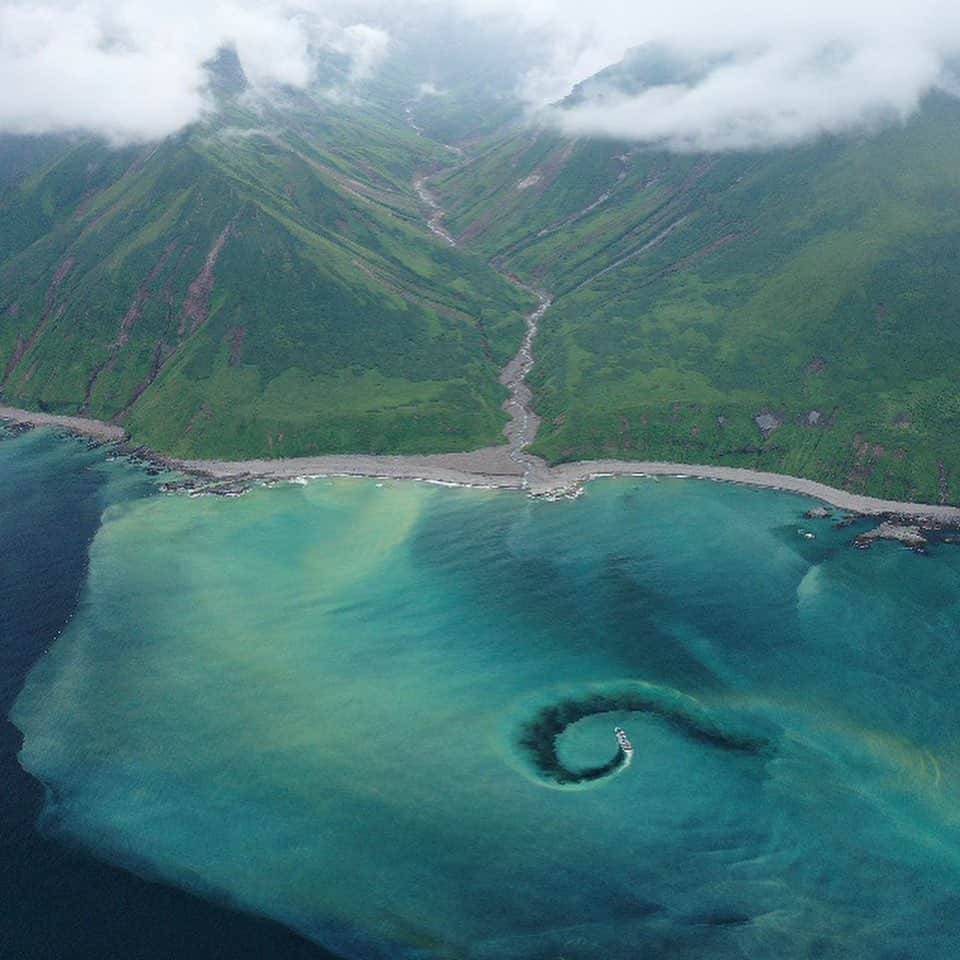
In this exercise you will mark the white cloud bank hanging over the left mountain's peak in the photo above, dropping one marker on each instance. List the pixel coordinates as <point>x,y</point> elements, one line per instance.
<point>135,70</point>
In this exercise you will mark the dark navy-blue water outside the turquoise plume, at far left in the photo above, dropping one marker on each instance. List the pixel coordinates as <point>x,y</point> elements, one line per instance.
<point>56,901</point>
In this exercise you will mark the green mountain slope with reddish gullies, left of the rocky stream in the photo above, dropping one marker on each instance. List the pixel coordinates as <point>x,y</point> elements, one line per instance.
<point>228,295</point>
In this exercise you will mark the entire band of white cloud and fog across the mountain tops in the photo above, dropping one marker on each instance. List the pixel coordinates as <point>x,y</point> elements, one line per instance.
<point>777,73</point>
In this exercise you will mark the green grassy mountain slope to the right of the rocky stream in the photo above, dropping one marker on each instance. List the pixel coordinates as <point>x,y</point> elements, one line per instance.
<point>820,279</point>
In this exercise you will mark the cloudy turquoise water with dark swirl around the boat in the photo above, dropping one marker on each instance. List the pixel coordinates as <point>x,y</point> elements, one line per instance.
<point>321,703</point>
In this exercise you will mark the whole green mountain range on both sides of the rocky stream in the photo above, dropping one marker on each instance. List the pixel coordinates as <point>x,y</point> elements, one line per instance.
<point>266,283</point>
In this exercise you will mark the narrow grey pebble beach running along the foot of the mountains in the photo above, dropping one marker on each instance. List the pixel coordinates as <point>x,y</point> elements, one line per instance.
<point>490,467</point>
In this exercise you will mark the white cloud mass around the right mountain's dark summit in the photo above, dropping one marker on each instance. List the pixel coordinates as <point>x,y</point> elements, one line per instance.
<point>783,73</point>
